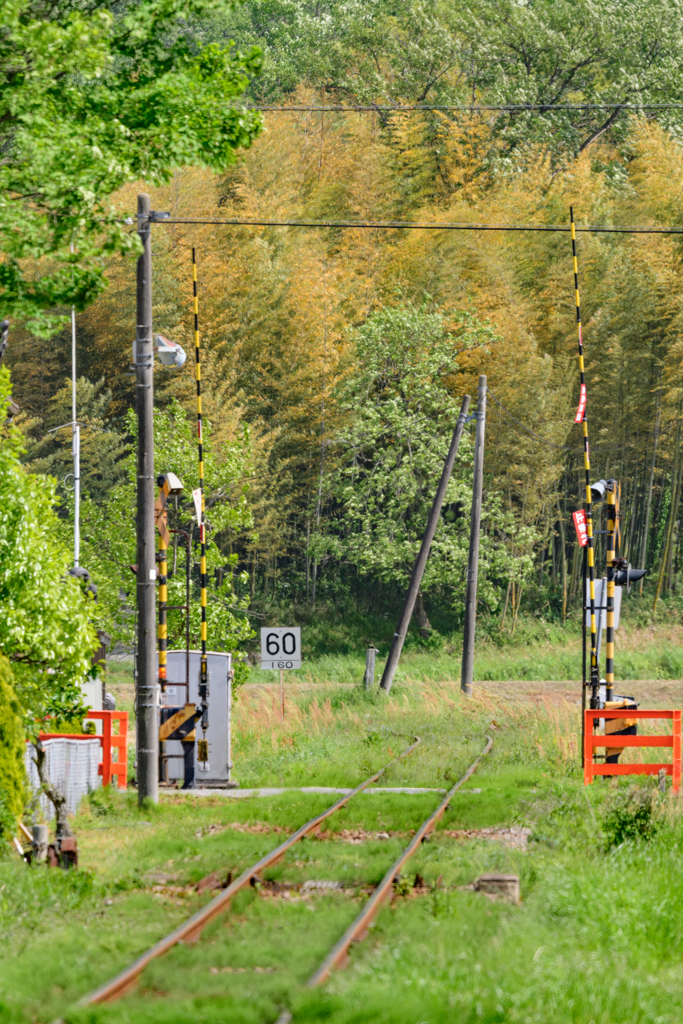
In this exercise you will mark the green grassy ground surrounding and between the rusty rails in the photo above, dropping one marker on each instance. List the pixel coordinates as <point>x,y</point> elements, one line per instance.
<point>595,938</point>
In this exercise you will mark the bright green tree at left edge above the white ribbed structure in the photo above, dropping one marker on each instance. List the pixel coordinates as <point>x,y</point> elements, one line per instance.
<point>46,628</point>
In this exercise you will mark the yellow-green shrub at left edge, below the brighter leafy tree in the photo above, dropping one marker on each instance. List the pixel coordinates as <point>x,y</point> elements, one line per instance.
<point>13,774</point>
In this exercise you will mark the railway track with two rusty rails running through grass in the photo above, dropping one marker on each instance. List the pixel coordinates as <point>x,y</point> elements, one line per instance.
<point>191,930</point>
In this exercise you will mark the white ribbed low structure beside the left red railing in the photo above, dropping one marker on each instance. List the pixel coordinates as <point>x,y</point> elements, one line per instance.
<point>71,764</point>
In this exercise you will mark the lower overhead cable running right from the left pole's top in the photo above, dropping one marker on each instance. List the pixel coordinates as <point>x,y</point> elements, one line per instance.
<point>412,226</point>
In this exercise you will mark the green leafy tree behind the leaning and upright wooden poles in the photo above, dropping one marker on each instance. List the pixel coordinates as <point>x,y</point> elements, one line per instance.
<point>402,417</point>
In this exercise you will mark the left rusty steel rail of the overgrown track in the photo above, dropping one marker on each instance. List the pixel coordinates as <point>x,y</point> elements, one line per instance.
<point>190,930</point>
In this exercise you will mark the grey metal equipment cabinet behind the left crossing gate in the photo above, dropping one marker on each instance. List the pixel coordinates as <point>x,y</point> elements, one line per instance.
<point>218,773</point>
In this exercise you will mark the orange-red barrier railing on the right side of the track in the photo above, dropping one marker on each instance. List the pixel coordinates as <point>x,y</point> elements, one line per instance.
<point>593,741</point>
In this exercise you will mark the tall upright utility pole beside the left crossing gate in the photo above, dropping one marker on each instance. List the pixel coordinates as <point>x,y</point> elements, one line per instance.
<point>148,711</point>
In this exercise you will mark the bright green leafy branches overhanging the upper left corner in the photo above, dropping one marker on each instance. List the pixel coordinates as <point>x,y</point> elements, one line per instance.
<point>91,100</point>
